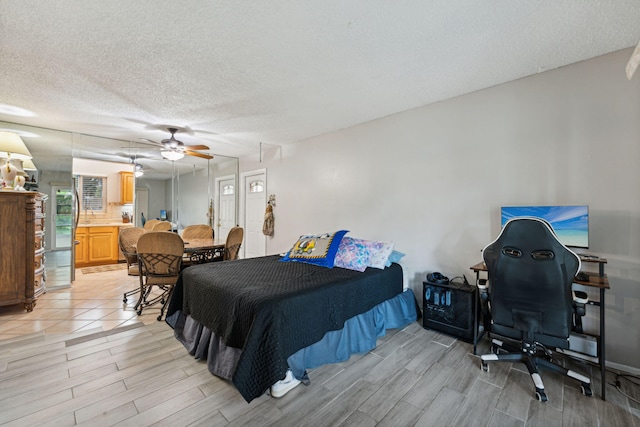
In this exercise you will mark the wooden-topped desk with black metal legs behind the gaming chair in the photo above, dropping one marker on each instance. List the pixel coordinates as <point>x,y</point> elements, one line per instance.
<point>596,280</point>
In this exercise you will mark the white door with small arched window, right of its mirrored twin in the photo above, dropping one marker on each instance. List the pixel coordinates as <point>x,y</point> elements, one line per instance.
<point>255,202</point>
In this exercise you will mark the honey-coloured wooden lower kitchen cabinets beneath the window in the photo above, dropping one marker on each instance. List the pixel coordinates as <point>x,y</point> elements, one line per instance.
<point>98,245</point>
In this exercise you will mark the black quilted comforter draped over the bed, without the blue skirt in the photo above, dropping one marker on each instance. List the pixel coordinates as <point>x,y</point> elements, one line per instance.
<point>271,309</point>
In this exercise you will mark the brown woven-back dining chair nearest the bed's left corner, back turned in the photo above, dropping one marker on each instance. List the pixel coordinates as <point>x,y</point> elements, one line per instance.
<point>159,261</point>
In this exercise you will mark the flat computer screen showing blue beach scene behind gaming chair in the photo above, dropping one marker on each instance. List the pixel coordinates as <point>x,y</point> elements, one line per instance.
<point>571,223</point>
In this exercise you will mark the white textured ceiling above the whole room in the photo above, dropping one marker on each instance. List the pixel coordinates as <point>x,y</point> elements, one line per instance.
<point>235,74</point>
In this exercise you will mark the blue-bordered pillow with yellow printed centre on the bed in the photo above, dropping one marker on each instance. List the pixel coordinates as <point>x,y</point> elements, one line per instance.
<point>317,249</point>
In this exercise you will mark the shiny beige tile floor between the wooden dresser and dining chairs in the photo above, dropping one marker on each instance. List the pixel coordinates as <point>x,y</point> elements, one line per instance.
<point>94,302</point>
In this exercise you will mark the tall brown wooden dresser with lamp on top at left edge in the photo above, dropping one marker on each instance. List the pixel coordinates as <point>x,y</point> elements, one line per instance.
<point>22,247</point>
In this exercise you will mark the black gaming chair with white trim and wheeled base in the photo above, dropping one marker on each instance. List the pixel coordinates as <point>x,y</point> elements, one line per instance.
<point>530,298</point>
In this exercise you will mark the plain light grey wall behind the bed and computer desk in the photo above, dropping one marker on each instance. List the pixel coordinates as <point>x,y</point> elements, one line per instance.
<point>433,179</point>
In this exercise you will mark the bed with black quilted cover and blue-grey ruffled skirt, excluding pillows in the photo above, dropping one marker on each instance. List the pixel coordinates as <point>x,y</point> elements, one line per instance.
<point>252,319</point>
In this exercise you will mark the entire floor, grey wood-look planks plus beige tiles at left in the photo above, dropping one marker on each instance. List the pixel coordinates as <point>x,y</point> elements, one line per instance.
<point>82,357</point>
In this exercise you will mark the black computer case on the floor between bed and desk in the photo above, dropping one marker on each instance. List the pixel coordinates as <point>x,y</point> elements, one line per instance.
<point>449,308</point>
